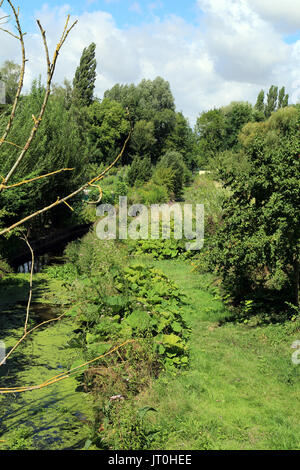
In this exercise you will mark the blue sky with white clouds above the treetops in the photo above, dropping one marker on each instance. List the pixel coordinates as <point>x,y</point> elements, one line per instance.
<point>211,51</point>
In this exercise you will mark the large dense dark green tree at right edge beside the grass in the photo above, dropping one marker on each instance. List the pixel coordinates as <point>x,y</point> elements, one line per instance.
<point>257,248</point>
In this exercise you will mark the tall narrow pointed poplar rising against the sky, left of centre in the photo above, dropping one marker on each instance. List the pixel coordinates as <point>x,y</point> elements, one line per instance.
<point>85,77</point>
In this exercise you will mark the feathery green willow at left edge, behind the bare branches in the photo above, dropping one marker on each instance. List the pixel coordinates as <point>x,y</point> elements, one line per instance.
<point>56,146</point>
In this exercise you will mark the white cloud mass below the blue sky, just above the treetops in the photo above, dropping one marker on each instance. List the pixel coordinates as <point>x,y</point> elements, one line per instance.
<point>231,55</point>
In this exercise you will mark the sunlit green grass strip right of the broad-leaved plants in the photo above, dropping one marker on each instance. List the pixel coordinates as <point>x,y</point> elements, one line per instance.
<point>241,390</point>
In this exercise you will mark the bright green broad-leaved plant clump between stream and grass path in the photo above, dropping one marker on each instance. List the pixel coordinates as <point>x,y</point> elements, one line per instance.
<point>143,303</point>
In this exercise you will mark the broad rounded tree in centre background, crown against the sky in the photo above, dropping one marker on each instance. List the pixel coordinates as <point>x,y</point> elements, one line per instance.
<point>157,127</point>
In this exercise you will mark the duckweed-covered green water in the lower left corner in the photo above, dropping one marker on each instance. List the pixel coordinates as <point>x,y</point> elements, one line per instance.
<point>58,416</point>
